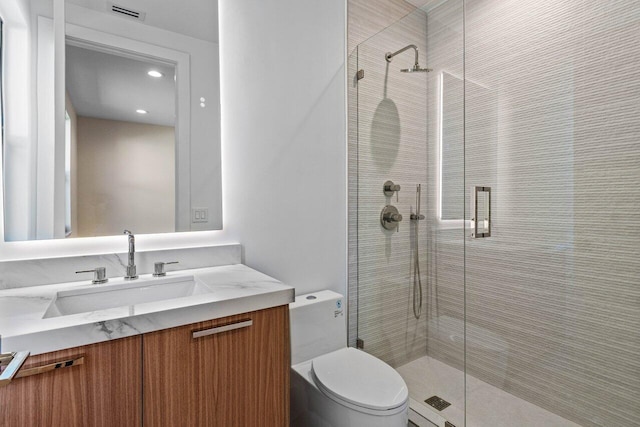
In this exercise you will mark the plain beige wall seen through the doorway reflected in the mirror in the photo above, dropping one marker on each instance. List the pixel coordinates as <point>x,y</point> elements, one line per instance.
<point>126,177</point>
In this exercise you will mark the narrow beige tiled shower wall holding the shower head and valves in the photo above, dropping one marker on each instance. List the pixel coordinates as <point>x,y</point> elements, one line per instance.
<point>387,141</point>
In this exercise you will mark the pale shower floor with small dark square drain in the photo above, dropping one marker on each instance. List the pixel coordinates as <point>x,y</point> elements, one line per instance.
<point>486,406</point>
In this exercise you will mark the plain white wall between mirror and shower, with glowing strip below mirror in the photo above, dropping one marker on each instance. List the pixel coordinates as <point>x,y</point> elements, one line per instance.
<point>283,150</point>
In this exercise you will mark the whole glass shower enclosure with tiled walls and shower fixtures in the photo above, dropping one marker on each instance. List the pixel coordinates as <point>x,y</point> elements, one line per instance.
<point>507,291</point>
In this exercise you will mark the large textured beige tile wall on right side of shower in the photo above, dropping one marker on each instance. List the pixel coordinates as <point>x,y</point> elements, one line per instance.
<point>552,125</point>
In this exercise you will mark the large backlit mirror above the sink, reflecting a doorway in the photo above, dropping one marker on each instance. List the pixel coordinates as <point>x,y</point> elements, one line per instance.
<point>94,144</point>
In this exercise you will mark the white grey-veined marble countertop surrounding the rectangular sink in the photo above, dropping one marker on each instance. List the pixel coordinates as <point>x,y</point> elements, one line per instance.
<point>234,289</point>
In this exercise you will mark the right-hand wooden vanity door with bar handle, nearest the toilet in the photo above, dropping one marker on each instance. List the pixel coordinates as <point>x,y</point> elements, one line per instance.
<point>239,377</point>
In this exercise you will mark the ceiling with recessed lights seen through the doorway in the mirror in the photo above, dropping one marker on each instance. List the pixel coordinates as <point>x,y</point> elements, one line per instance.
<point>108,86</point>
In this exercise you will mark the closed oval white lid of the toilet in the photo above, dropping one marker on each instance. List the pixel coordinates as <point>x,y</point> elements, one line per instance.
<point>358,378</point>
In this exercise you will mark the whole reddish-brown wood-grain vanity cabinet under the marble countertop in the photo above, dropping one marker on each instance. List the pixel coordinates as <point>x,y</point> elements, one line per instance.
<point>236,374</point>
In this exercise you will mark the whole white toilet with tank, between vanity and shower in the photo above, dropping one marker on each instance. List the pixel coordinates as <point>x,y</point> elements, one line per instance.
<point>333,385</point>
